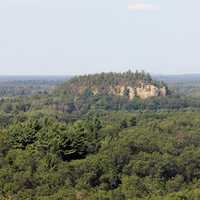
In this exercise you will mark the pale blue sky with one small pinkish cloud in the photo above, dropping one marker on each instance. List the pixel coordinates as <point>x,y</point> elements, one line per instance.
<point>67,37</point>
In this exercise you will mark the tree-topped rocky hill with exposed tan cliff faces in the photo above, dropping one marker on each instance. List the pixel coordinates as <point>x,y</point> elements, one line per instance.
<point>129,84</point>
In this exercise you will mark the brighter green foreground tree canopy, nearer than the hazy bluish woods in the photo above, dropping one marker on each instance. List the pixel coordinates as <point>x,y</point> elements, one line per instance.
<point>105,155</point>
